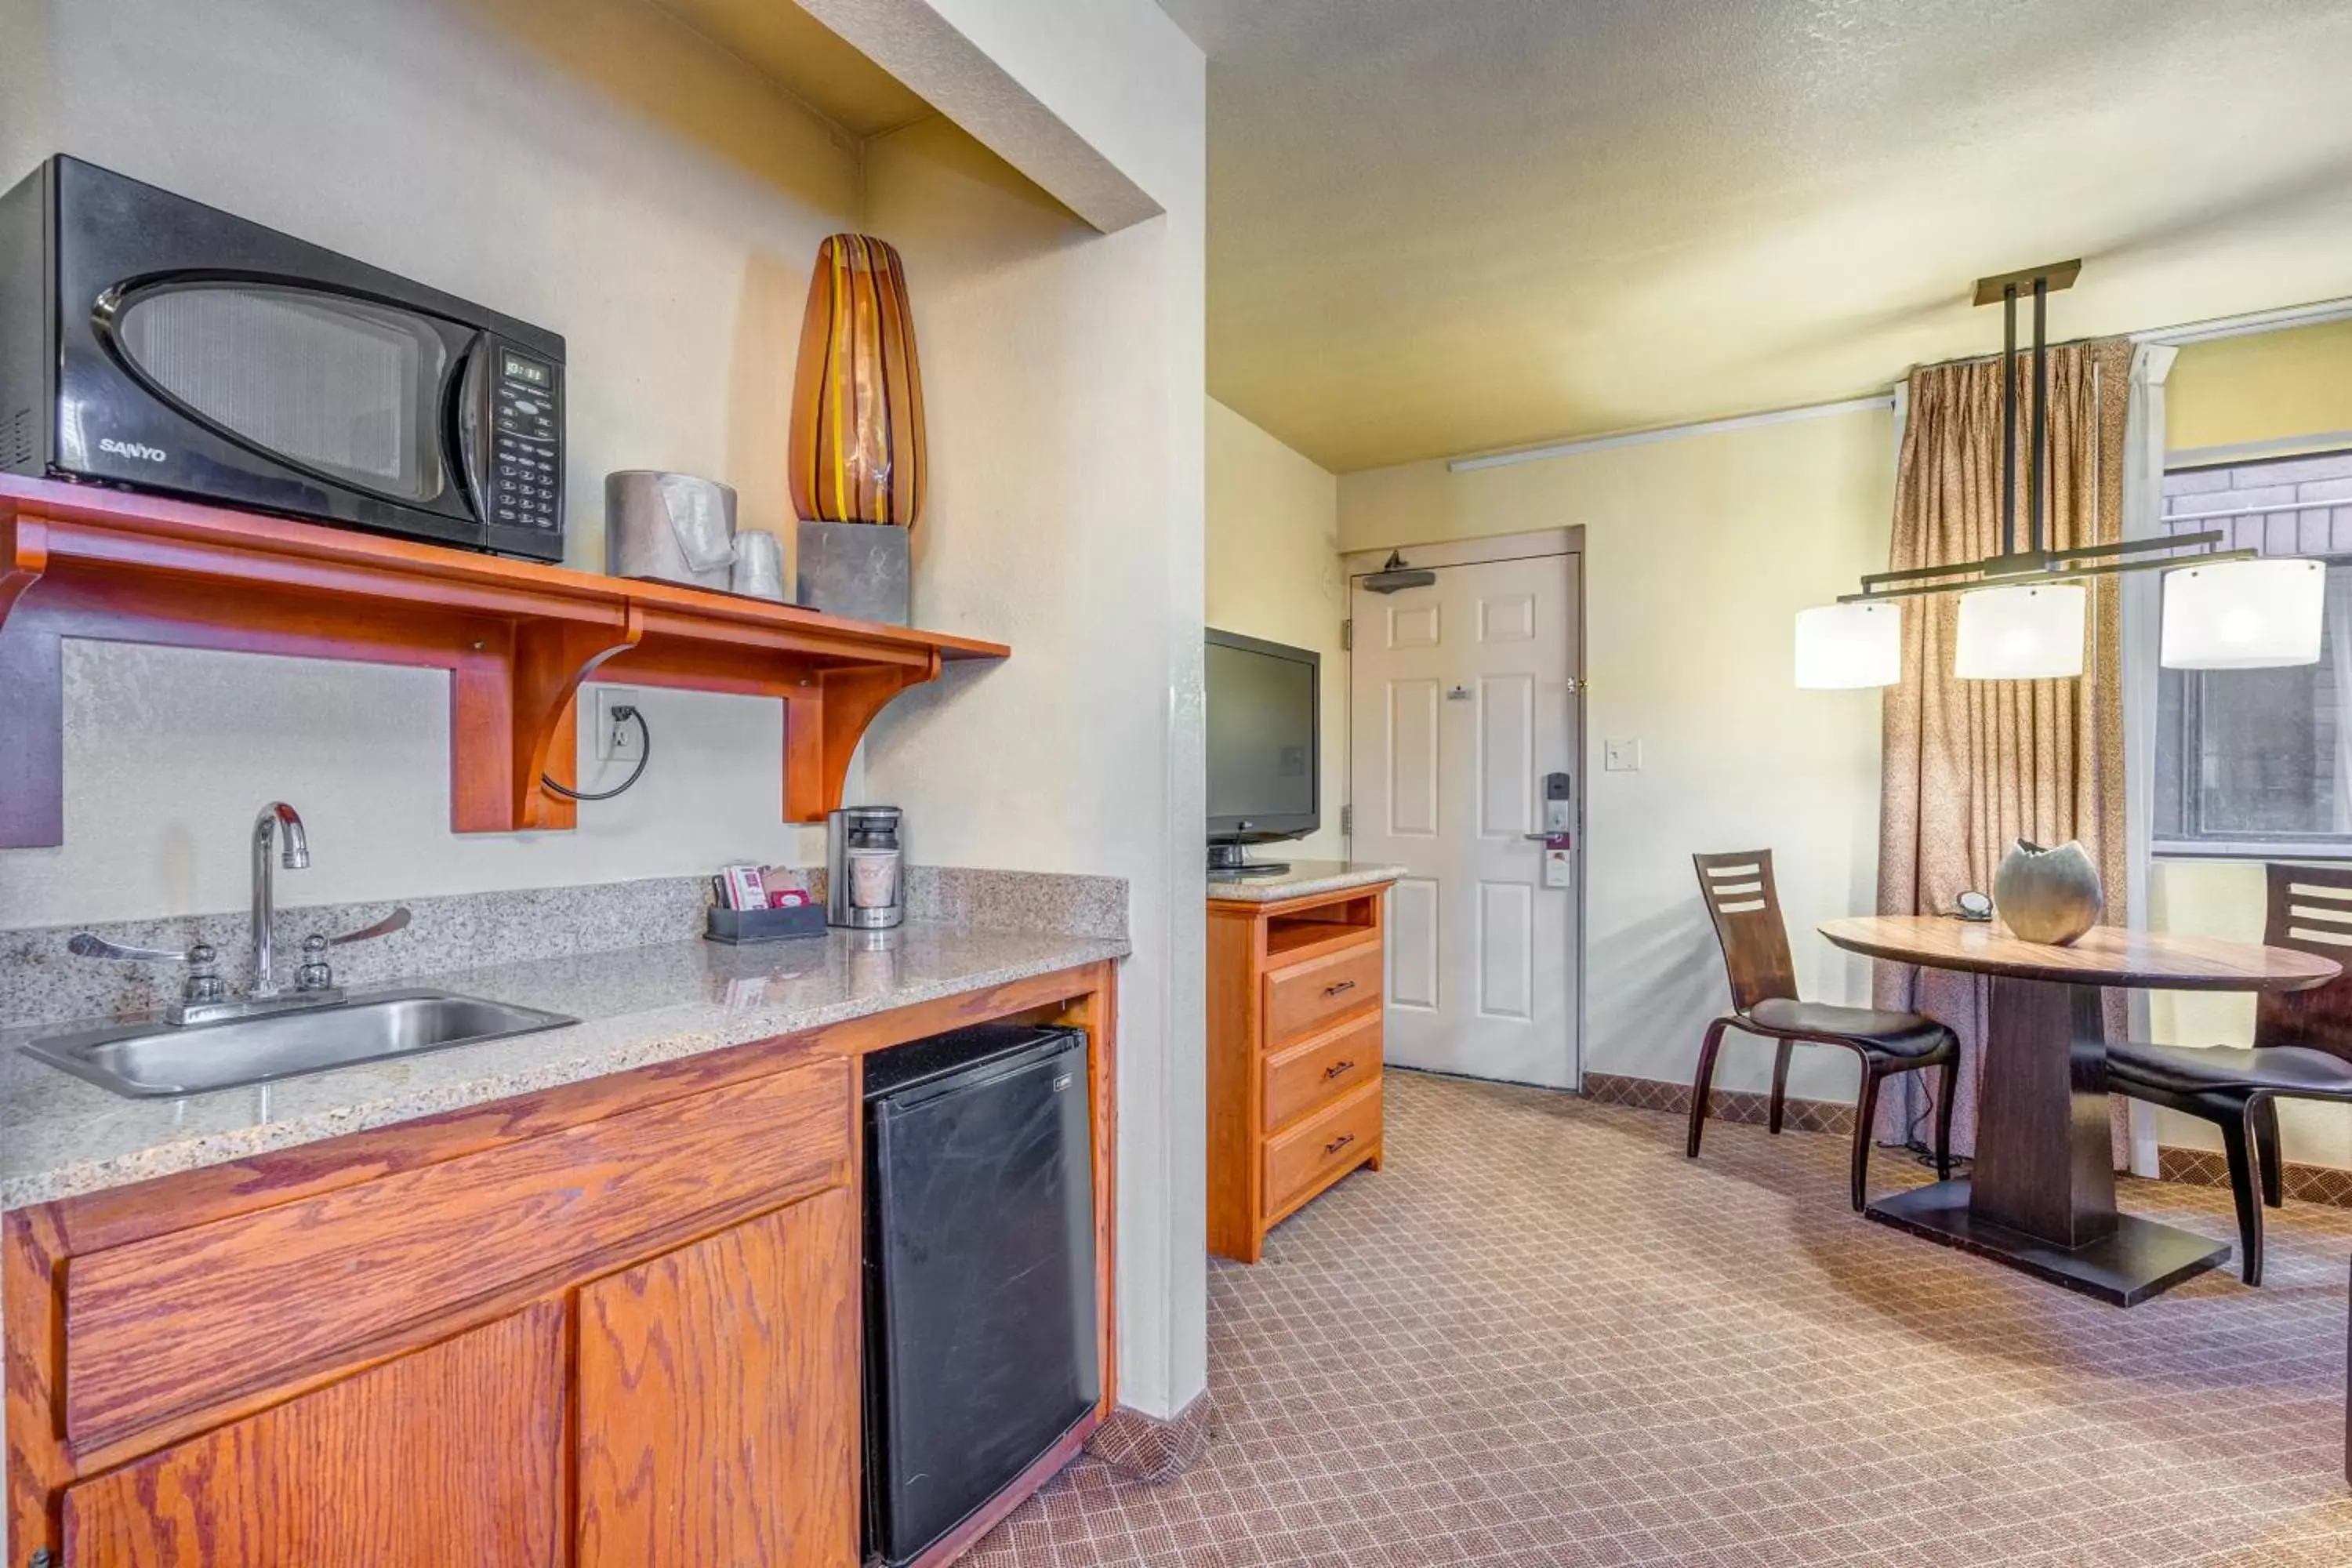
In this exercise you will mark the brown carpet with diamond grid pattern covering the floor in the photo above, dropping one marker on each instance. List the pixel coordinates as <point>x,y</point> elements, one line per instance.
<point>1542,1336</point>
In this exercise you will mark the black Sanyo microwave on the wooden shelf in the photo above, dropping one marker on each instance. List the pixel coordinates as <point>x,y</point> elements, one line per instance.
<point>161,344</point>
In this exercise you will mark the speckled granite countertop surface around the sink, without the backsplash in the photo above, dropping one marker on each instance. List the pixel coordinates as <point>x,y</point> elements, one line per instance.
<point>636,1007</point>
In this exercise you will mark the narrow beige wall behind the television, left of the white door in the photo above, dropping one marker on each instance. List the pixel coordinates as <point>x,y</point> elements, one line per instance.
<point>1274,572</point>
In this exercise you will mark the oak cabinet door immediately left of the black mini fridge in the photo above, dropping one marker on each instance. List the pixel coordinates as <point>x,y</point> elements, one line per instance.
<point>721,1400</point>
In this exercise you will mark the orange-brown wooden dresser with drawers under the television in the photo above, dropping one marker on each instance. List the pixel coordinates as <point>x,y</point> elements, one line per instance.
<point>1295,1052</point>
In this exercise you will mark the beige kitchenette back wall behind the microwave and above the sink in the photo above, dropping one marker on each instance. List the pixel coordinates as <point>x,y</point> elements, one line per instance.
<point>526,159</point>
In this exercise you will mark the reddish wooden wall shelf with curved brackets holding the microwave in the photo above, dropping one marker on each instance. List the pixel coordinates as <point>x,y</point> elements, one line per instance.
<point>516,638</point>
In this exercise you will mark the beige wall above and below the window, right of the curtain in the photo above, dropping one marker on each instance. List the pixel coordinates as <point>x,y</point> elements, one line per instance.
<point>2273,387</point>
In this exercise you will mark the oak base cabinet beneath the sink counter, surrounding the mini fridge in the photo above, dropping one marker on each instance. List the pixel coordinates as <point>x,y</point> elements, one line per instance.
<point>610,1325</point>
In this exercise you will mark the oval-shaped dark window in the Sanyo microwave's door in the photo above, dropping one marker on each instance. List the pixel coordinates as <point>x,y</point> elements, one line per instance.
<point>338,387</point>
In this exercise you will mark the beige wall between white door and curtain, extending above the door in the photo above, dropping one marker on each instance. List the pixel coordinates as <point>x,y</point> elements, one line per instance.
<point>1699,554</point>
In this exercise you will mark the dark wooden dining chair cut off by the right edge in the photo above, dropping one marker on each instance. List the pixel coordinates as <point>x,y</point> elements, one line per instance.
<point>2301,1052</point>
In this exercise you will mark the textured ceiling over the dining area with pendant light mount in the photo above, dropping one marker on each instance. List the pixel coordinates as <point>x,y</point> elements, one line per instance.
<point>1445,227</point>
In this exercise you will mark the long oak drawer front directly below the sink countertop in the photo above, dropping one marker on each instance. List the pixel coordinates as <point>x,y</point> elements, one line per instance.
<point>180,1322</point>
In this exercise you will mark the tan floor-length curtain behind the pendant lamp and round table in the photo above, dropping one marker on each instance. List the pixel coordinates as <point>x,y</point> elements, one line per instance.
<point>1975,765</point>
